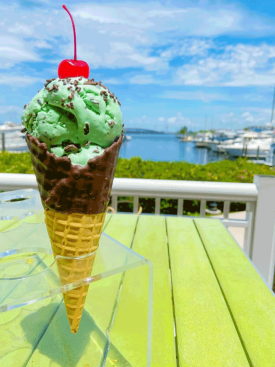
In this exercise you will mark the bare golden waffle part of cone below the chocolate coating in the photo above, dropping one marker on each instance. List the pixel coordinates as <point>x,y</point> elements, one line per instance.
<point>74,235</point>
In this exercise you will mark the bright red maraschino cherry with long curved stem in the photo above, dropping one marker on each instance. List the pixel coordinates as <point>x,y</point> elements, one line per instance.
<point>72,68</point>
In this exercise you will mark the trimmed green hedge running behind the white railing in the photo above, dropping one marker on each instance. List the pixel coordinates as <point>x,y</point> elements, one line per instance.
<point>224,171</point>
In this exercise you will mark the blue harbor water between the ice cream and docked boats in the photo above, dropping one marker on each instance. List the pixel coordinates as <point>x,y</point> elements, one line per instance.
<point>161,147</point>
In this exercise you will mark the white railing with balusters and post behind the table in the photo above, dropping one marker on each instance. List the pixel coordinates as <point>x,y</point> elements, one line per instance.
<point>259,196</point>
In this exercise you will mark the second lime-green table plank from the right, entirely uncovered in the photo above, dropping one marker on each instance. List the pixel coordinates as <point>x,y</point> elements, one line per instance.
<point>206,335</point>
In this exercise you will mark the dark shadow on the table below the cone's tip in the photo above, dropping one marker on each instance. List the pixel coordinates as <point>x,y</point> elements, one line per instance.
<point>58,344</point>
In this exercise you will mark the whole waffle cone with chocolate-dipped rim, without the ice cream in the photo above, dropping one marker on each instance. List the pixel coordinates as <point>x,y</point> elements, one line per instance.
<point>75,199</point>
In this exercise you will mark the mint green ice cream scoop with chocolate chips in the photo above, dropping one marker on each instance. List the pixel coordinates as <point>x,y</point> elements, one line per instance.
<point>76,117</point>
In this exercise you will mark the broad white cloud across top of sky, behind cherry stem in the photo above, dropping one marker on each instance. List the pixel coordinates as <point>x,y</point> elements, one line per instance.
<point>123,35</point>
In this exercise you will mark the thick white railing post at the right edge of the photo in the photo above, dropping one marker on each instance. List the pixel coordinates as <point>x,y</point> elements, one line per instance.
<point>263,249</point>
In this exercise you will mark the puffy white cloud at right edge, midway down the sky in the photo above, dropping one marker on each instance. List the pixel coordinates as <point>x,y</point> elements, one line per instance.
<point>239,65</point>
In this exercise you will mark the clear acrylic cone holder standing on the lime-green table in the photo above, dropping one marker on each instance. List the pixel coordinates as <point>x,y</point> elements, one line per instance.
<point>116,324</point>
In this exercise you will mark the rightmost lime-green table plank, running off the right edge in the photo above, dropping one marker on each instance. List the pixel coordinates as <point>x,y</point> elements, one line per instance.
<point>251,303</point>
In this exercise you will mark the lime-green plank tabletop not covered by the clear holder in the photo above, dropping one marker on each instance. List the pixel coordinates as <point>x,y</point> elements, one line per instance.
<point>211,307</point>
